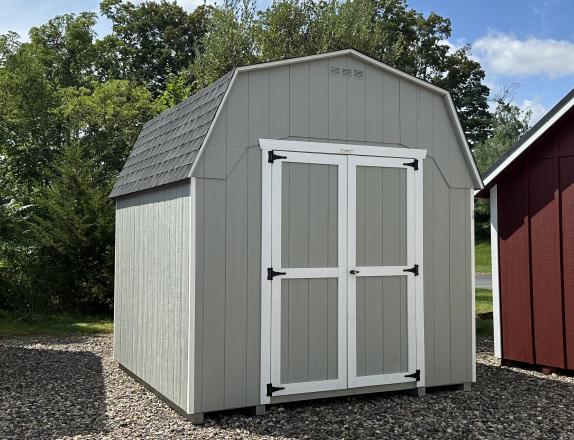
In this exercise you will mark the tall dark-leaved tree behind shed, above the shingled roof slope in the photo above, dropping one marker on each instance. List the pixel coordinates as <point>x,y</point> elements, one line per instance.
<point>150,41</point>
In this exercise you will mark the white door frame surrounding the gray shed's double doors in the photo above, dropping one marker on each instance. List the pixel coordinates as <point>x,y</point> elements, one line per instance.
<point>267,145</point>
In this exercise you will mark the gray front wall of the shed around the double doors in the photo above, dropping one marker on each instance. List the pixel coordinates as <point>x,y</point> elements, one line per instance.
<point>303,102</point>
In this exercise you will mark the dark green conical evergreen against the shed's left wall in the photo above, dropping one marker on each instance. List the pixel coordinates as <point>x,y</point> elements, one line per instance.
<point>72,236</point>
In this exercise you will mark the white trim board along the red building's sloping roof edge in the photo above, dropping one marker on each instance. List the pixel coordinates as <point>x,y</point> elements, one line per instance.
<point>530,137</point>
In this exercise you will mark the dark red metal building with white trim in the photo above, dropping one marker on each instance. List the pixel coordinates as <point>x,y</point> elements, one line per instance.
<point>531,190</point>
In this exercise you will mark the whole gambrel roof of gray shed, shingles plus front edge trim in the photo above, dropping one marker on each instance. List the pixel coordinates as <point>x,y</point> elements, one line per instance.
<point>169,144</point>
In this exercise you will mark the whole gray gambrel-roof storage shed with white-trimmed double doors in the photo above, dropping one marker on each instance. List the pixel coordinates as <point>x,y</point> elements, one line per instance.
<point>298,229</point>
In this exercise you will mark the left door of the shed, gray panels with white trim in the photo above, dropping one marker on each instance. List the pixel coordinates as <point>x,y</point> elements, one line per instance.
<point>308,301</point>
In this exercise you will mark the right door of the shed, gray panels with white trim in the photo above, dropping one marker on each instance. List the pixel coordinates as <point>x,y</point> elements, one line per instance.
<point>382,340</point>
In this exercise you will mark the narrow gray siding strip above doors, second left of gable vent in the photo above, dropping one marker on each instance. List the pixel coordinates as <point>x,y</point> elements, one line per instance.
<point>299,99</point>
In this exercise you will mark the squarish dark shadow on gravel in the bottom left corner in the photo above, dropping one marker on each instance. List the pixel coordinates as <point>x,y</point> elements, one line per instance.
<point>50,393</point>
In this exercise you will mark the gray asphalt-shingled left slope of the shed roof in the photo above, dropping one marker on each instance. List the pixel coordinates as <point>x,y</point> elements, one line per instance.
<point>167,146</point>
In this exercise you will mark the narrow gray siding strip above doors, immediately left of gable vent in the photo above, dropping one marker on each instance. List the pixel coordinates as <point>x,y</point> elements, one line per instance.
<point>319,99</point>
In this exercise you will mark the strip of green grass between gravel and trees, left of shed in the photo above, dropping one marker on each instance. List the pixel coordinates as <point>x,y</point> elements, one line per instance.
<point>54,325</point>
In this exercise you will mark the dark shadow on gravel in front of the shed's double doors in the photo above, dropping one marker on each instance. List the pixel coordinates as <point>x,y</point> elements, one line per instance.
<point>504,403</point>
